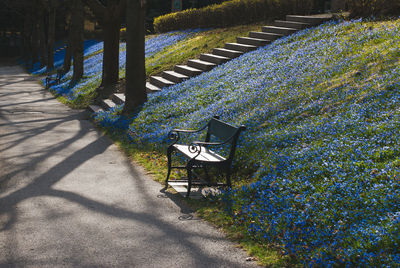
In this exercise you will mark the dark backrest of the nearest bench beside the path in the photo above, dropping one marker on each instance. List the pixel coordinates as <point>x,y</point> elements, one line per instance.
<point>224,131</point>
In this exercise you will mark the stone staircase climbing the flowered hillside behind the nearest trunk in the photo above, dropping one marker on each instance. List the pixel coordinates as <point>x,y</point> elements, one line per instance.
<point>208,61</point>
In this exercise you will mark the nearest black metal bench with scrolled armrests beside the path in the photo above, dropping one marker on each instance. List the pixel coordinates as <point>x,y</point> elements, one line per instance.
<point>199,154</point>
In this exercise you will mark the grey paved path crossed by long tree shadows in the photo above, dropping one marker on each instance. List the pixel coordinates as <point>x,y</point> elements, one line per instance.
<point>69,198</point>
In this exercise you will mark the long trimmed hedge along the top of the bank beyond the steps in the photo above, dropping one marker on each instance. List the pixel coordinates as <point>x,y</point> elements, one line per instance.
<point>231,13</point>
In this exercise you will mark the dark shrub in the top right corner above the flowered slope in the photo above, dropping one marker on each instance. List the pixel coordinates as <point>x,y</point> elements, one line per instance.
<point>377,8</point>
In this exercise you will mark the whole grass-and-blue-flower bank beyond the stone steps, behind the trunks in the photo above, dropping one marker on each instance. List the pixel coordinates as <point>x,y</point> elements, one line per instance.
<point>163,51</point>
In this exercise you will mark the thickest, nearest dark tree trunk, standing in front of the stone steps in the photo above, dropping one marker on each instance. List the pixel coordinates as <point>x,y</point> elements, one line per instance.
<point>135,88</point>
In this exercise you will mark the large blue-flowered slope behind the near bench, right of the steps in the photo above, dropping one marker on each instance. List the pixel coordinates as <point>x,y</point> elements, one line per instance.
<point>322,142</point>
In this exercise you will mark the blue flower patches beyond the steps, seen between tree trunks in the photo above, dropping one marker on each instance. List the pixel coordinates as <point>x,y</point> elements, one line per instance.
<point>93,63</point>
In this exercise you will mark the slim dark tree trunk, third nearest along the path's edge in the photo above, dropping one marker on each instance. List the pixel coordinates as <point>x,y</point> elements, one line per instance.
<point>77,21</point>
